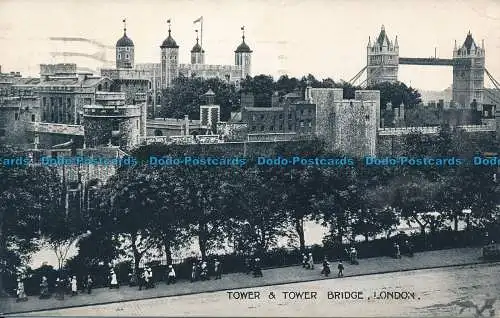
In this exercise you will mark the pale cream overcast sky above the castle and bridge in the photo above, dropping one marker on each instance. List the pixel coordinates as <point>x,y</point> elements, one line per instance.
<point>327,38</point>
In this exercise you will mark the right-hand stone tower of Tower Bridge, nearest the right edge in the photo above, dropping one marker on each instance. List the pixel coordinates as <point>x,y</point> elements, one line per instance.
<point>468,74</point>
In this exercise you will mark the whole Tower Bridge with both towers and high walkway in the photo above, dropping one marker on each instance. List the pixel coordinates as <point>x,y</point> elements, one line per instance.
<point>468,64</point>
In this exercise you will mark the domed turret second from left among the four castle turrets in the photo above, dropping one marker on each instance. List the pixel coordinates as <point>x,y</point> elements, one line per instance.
<point>169,66</point>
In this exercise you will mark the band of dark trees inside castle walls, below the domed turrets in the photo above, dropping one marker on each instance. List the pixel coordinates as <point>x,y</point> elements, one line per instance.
<point>186,94</point>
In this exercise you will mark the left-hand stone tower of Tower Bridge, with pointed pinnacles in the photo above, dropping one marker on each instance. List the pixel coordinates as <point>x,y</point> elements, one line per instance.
<point>382,59</point>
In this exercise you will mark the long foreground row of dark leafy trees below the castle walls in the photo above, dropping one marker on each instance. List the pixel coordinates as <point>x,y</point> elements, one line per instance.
<point>145,208</point>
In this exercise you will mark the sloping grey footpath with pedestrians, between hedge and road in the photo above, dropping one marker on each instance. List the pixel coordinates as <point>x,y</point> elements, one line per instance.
<point>274,276</point>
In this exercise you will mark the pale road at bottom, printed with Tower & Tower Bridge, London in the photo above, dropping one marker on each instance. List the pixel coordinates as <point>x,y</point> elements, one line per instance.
<point>437,292</point>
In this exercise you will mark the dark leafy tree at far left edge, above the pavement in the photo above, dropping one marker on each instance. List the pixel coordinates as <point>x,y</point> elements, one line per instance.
<point>26,196</point>
